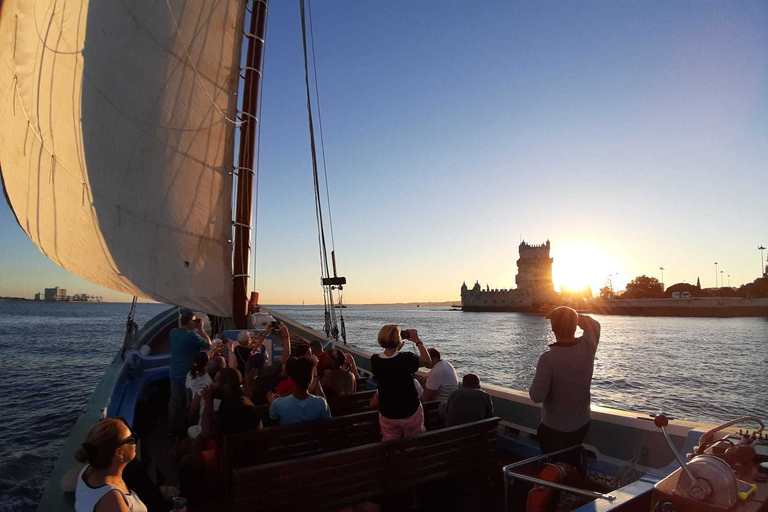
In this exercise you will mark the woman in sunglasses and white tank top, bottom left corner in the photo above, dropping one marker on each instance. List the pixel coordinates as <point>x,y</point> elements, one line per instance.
<point>108,448</point>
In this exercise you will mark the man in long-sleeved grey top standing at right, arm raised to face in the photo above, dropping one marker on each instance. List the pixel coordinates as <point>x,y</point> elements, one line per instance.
<point>562,381</point>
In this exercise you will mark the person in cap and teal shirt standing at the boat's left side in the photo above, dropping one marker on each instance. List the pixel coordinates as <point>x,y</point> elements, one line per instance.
<point>185,344</point>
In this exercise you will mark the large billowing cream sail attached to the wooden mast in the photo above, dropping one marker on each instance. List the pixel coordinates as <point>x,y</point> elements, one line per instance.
<point>117,138</point>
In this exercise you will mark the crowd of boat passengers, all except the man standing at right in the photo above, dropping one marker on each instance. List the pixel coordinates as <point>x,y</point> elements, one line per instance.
<point>217,387</point>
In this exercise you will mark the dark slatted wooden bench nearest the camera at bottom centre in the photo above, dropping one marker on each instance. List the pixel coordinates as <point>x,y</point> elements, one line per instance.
<point>331,480</point>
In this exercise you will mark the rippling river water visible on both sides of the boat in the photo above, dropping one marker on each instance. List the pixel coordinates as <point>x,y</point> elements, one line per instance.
<point>53,355</point>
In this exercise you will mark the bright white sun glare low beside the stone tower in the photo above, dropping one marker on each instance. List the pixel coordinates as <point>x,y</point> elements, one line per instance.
<point>577,266</point>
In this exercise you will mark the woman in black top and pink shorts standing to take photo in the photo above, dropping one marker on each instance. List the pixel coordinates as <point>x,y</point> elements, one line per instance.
<point>400,412</point>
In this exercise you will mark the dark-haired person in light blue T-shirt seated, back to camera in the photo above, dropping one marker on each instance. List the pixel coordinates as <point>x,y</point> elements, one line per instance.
<point>300,406</point>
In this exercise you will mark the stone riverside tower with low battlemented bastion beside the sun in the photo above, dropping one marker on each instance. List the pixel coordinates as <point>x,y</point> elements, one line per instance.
<point>534,285</point>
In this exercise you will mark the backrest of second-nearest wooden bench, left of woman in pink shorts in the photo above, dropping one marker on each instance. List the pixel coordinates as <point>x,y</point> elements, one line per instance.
<point>281,443</point>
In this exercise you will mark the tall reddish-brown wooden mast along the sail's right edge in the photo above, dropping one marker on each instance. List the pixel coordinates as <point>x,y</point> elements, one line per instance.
<point>247,160</point>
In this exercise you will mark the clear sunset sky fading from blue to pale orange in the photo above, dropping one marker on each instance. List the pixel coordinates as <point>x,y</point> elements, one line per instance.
<point>632,135</point>
